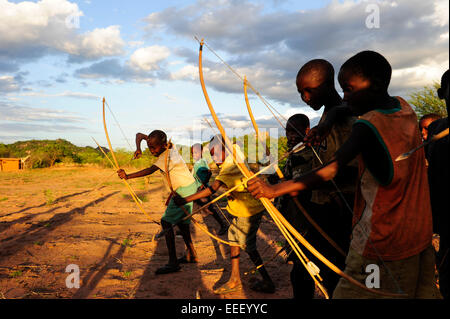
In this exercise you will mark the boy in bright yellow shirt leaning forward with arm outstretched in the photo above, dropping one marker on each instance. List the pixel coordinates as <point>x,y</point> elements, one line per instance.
<point>247,212</point>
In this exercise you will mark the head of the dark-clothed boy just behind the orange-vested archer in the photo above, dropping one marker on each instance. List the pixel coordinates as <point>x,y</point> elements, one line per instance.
<point>315,82</point>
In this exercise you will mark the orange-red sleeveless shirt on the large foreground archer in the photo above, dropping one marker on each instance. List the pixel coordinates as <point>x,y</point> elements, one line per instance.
<point>392,219</point>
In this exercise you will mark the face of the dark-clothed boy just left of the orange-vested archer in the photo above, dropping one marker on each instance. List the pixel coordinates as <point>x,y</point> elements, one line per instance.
<point>312,89</point>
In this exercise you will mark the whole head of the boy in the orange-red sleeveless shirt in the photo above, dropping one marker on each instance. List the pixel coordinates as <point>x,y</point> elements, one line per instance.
<point>364,78</point>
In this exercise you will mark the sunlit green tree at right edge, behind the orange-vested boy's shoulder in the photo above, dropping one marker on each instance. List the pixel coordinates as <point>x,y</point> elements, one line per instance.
<point>426,101</point>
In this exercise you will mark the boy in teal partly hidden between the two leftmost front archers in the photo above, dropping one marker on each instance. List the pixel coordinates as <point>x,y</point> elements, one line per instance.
<point>202,174</point>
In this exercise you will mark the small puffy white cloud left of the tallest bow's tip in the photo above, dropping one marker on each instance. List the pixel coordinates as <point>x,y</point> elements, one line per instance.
<point>148,58</point>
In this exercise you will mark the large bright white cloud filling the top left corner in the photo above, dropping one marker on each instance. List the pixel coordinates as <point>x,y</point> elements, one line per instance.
<point>31,30</point>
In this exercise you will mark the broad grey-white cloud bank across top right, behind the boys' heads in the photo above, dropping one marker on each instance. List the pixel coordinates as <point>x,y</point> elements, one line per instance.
<point>270,46</point>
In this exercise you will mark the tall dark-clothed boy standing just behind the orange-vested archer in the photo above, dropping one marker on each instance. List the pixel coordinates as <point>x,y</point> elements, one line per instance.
<point>328,207</point>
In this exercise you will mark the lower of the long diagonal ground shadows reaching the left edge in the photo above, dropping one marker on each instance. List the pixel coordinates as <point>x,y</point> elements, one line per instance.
<point>12,245</point>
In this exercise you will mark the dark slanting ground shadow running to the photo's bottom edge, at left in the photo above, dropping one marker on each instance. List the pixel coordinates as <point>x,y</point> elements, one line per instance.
<point>97,275</point>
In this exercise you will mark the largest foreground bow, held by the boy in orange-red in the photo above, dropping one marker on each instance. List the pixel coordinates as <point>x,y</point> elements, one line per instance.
<point>287,229</point>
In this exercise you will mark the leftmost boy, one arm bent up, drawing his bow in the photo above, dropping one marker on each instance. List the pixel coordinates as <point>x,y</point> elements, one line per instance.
<point>183,184</point>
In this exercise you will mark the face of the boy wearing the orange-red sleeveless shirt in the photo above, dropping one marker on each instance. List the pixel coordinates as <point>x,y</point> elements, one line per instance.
<point>358,93</point>
